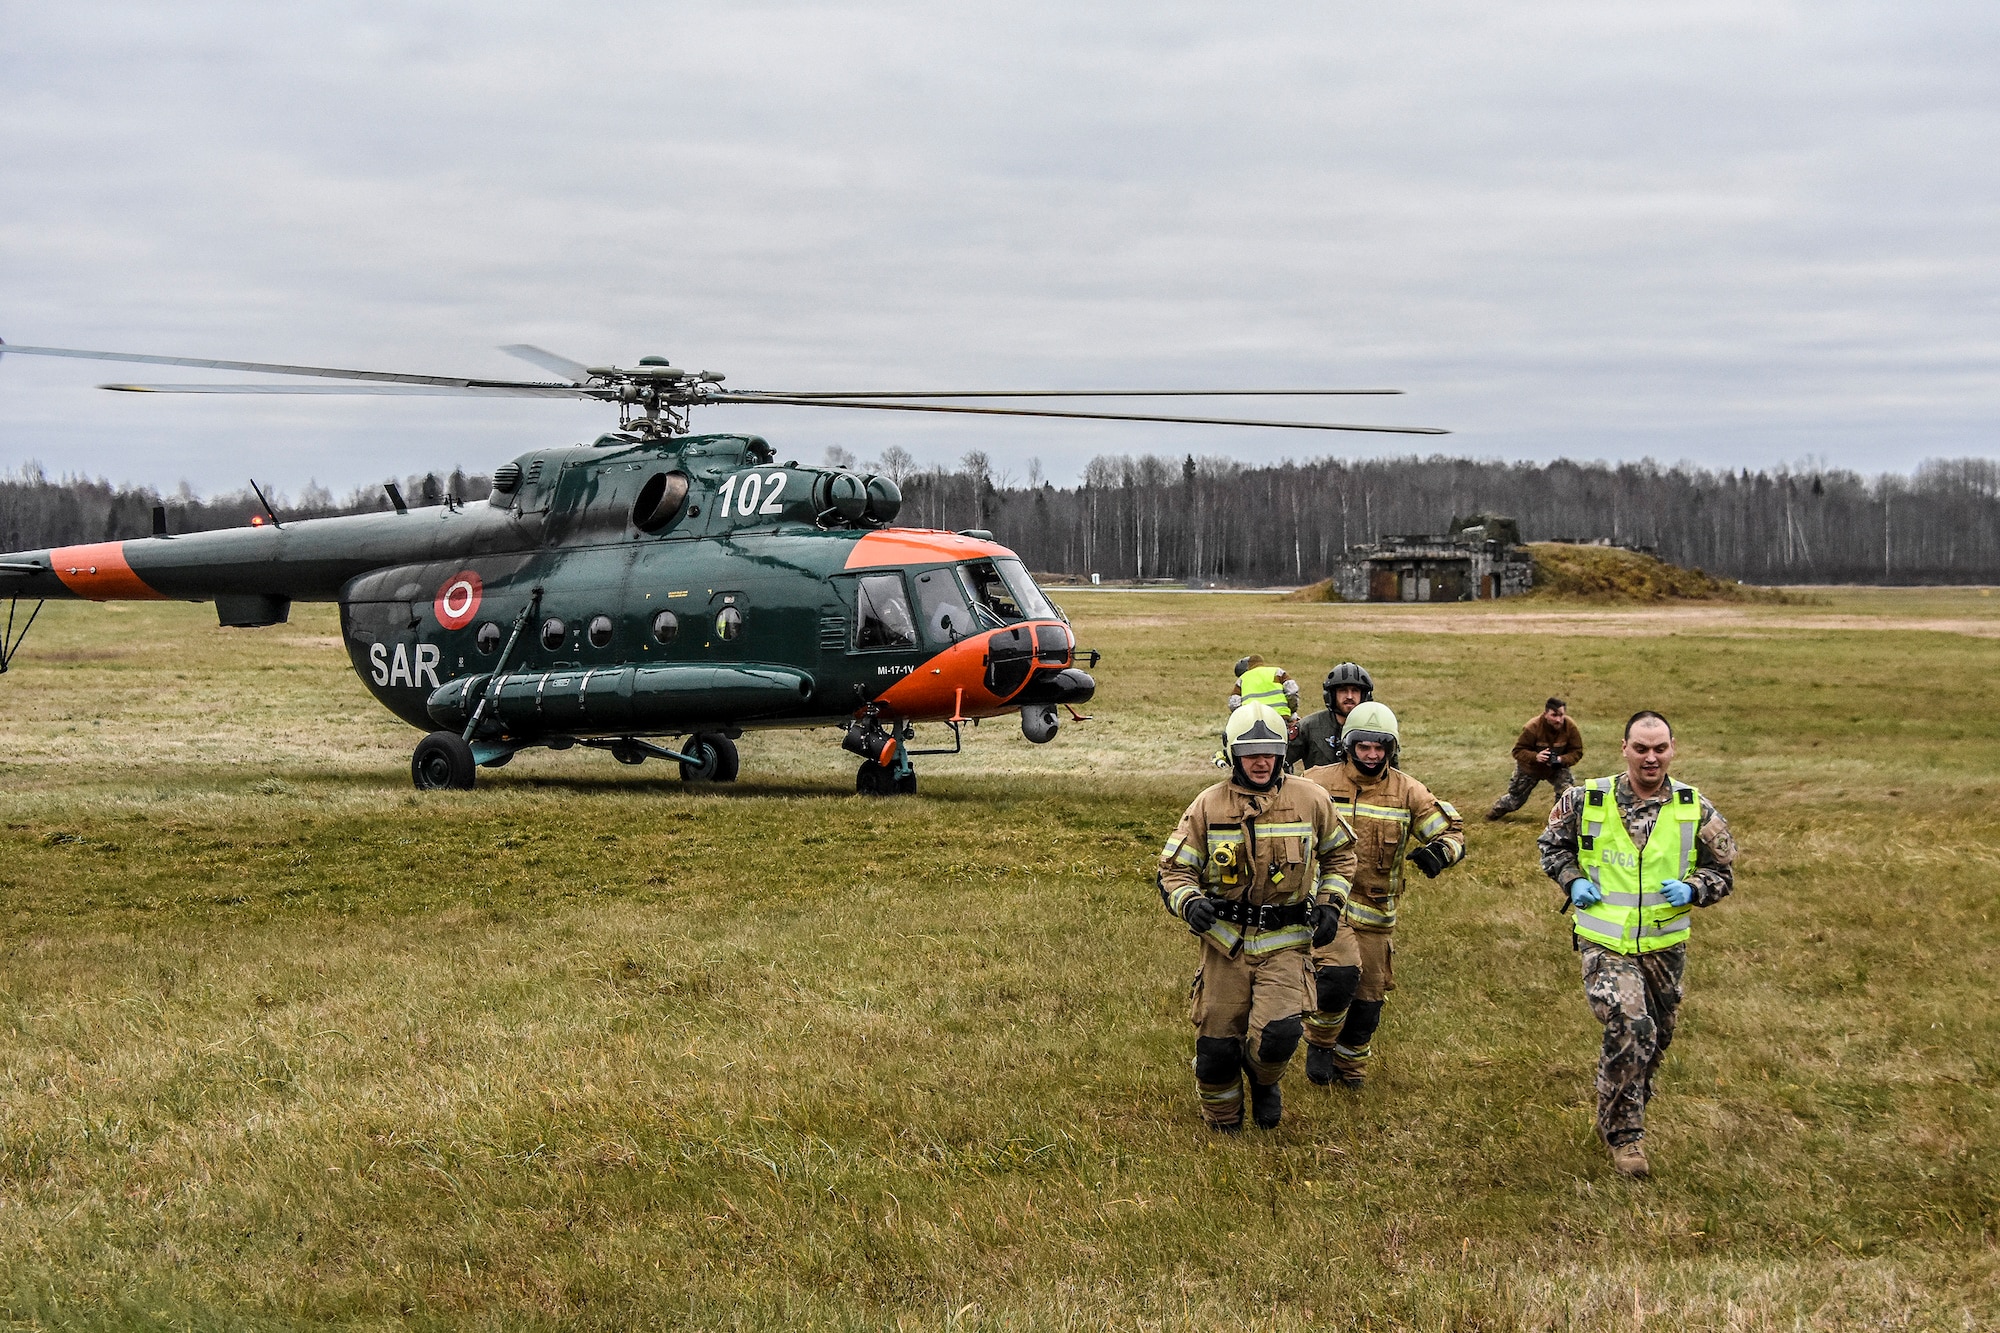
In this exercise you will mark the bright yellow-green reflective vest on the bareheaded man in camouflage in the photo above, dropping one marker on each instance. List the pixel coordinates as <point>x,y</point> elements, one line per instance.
<point>1635,916</point>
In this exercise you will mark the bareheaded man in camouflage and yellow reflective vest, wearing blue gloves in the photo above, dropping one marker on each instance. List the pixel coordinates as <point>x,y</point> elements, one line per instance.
<point>1637,854</point>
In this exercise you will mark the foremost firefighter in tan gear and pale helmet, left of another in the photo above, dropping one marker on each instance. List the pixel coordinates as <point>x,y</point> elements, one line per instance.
<point>1259,866</point>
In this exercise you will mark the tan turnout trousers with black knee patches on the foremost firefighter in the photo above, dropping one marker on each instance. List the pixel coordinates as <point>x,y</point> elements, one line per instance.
<point>1249,1016</point>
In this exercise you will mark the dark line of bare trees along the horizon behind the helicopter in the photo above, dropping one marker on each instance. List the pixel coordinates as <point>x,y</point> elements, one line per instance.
<point>1221,521</point>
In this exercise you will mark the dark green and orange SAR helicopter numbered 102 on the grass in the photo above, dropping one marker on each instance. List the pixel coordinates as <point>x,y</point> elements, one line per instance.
<point>655,593</point>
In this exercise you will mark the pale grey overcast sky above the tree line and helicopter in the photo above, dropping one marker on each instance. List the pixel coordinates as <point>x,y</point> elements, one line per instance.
<point>1727,233</point>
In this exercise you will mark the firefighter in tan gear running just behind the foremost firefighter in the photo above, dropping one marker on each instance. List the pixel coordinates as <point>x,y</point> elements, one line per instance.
<point>1393,818</point>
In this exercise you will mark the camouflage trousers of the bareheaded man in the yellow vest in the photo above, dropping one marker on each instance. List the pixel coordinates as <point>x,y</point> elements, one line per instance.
<point>1637,998</point>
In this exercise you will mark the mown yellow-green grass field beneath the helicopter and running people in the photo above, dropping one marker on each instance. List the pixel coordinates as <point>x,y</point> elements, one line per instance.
<point>287,1046</point>
